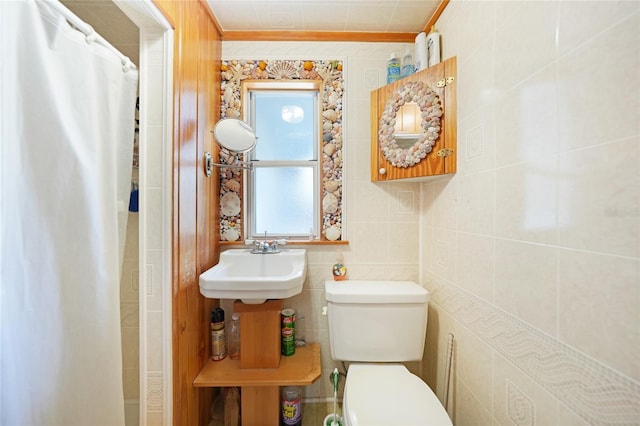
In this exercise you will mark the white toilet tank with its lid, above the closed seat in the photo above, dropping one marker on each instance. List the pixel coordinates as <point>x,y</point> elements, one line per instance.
<point>376,321</point>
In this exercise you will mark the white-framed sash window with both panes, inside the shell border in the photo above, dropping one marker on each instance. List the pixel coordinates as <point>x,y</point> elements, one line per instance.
<point>283,187</point>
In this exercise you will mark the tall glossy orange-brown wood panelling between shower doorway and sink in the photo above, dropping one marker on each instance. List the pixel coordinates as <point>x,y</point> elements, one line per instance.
<point>197,54</point>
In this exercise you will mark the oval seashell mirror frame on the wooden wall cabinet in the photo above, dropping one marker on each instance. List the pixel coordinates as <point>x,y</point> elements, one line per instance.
<point>431,111</point>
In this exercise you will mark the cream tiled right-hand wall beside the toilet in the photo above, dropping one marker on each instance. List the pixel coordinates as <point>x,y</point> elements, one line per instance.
<point>545,297</point>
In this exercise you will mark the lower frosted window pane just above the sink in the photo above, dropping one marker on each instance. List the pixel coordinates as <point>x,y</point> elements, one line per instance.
<point>284,200</point>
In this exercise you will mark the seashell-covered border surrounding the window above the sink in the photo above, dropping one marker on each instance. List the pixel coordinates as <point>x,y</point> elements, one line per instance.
<point>330,72</point>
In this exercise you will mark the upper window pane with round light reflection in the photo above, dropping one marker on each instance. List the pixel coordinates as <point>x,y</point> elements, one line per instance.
<point>284,123</point>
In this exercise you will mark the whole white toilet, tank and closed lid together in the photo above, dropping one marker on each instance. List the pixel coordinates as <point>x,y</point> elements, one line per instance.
<point>377,325</point>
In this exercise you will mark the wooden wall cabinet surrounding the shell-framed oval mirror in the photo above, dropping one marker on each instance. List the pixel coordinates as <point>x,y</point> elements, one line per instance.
<point>441,79</point>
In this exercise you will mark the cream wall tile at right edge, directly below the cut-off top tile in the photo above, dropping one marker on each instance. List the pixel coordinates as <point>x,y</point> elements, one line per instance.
<point>598,85</point>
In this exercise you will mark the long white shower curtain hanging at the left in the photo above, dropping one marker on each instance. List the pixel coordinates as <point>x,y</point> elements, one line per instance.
<point>67,125</point>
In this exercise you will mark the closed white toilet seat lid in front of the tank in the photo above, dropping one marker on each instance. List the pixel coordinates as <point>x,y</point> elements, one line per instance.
<point>389,394</point>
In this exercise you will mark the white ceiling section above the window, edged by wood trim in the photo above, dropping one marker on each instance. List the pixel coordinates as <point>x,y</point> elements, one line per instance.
<point>331,15</point>
